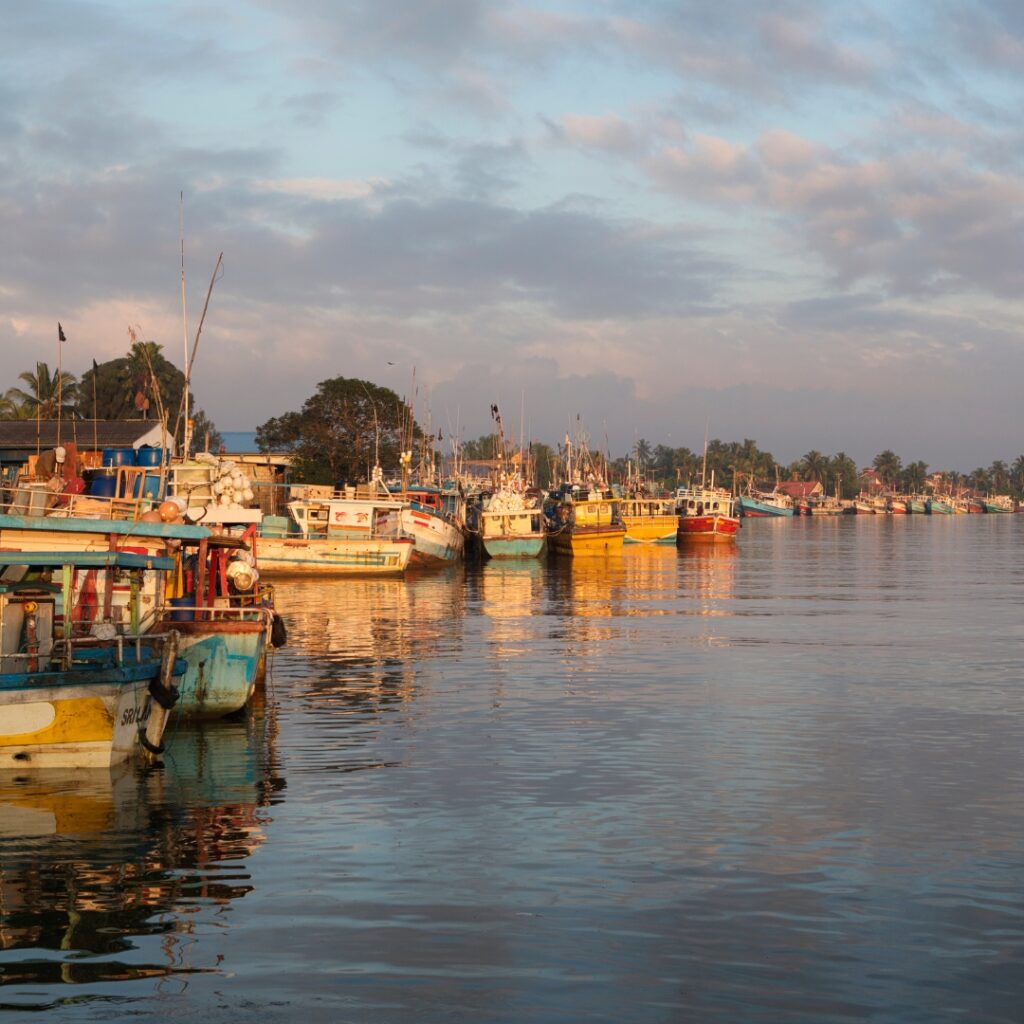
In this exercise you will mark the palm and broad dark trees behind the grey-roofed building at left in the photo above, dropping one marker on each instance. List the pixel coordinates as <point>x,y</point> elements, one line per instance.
<point>135,387</point>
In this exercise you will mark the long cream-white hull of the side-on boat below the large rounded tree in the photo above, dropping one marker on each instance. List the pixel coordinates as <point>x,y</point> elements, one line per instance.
<point>297,557</point>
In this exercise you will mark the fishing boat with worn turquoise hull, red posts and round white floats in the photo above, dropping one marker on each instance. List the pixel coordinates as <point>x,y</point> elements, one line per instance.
<point>226,620</point>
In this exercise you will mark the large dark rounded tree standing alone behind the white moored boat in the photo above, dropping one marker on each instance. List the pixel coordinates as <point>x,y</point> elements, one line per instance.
<point>340,432</point>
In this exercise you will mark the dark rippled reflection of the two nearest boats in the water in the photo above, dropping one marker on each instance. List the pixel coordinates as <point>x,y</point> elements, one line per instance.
<point>106,876</point>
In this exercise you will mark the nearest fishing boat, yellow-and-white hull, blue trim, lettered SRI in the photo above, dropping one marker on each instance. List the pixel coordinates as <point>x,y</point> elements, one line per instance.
<point>77,693</point>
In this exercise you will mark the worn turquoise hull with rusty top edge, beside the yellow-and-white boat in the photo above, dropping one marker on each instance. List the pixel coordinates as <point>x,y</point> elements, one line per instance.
<point>224,660</point>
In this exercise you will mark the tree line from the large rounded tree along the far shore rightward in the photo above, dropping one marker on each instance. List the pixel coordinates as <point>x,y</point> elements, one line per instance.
<point>350,425</point>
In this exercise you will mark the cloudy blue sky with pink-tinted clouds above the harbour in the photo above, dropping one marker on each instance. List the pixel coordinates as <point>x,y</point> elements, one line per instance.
<point>791,222</point>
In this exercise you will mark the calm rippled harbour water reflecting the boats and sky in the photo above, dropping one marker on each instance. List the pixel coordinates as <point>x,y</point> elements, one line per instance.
<point>777,784</point>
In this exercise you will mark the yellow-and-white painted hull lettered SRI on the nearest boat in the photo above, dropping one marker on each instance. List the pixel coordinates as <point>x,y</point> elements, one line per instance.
<point>74,726</point>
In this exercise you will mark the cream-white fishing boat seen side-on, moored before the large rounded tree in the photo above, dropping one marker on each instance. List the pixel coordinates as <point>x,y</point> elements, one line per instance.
<point>336,536</point>
